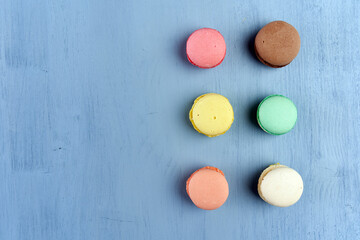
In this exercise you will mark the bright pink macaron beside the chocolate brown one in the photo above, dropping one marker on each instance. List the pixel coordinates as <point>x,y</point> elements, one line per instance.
<point>206,48</point>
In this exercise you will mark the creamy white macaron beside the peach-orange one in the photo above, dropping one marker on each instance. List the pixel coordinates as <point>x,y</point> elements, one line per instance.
<point>280,185</point>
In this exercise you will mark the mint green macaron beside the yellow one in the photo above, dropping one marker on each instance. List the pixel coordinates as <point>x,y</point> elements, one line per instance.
<point>276,114</point>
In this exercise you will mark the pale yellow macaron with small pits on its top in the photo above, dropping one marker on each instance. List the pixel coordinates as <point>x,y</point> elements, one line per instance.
<point>211,114</point>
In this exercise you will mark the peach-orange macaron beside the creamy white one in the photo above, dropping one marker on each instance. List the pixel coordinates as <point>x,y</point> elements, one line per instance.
<point>207,188</point>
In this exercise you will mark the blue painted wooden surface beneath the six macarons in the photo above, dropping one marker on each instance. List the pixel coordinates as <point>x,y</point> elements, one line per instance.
<point>95,141</point>
